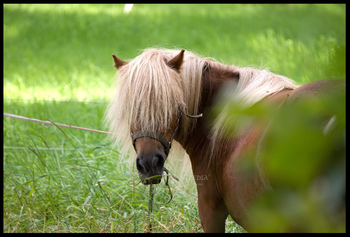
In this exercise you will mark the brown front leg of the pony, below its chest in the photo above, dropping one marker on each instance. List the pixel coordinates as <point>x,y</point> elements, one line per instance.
<point>212,212</point>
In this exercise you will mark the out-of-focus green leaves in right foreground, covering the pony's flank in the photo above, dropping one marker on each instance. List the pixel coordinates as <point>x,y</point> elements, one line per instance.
<point>303,162</point>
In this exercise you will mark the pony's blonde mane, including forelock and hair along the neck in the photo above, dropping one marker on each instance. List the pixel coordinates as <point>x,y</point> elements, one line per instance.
<point>149,93</point>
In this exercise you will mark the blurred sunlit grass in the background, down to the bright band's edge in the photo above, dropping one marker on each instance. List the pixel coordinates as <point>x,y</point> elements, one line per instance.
<point>62,51</point>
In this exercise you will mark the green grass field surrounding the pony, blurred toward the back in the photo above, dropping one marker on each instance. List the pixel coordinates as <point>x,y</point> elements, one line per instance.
<point>55,55</point>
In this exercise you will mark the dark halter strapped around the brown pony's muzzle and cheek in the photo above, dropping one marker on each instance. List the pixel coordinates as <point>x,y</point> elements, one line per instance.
<point>158,137</point>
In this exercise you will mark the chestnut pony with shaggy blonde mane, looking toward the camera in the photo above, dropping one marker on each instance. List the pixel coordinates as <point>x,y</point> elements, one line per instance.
<point>161,95</point>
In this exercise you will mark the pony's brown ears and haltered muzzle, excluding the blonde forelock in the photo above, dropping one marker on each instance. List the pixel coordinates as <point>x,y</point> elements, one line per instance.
<point>152,147</point>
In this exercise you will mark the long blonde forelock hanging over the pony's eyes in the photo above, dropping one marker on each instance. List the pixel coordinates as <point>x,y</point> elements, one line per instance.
<point>149,93</point>
